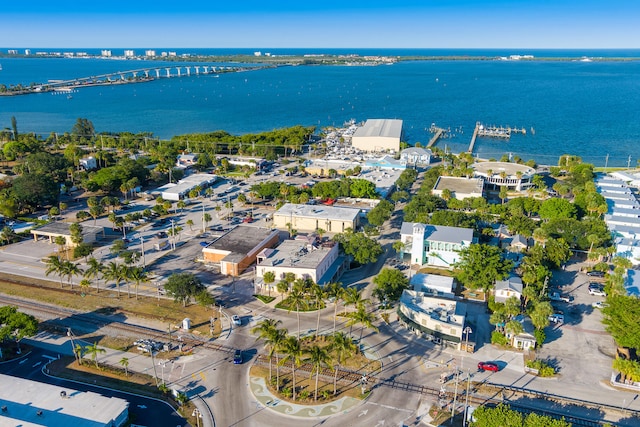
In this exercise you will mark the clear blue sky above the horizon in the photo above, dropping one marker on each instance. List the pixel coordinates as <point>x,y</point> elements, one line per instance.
<point>328,23</point>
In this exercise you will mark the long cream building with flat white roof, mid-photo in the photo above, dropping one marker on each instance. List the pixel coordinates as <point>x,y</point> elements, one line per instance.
<point>312,217</point>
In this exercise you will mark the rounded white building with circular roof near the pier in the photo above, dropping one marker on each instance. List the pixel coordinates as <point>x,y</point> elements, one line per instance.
<point>504,174</point>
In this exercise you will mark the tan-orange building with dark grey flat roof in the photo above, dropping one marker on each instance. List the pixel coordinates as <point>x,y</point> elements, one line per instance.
<point>237,250</point>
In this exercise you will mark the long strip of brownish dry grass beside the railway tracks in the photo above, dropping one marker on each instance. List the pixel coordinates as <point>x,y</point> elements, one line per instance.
<point>107,302</point>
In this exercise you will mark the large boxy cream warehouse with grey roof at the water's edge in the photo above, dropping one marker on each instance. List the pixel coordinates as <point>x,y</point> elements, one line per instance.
<point>378,135</point>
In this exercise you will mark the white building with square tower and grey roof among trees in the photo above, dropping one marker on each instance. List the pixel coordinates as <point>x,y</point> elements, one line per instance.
<point>436,245</point>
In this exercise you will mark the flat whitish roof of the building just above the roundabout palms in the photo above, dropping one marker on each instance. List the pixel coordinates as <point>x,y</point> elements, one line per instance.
<point>295,254</point>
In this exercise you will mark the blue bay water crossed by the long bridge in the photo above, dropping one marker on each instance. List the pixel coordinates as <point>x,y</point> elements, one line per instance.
<point>586,108</point>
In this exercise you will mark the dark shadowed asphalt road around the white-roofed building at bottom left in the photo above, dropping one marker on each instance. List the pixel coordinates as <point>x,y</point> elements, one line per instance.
<point>143,411</point>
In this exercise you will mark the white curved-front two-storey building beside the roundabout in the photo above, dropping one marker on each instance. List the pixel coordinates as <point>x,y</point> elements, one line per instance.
<point>437,319</point>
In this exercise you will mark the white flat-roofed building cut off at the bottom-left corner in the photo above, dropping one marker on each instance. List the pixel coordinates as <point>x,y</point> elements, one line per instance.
<point>24,398</point>
